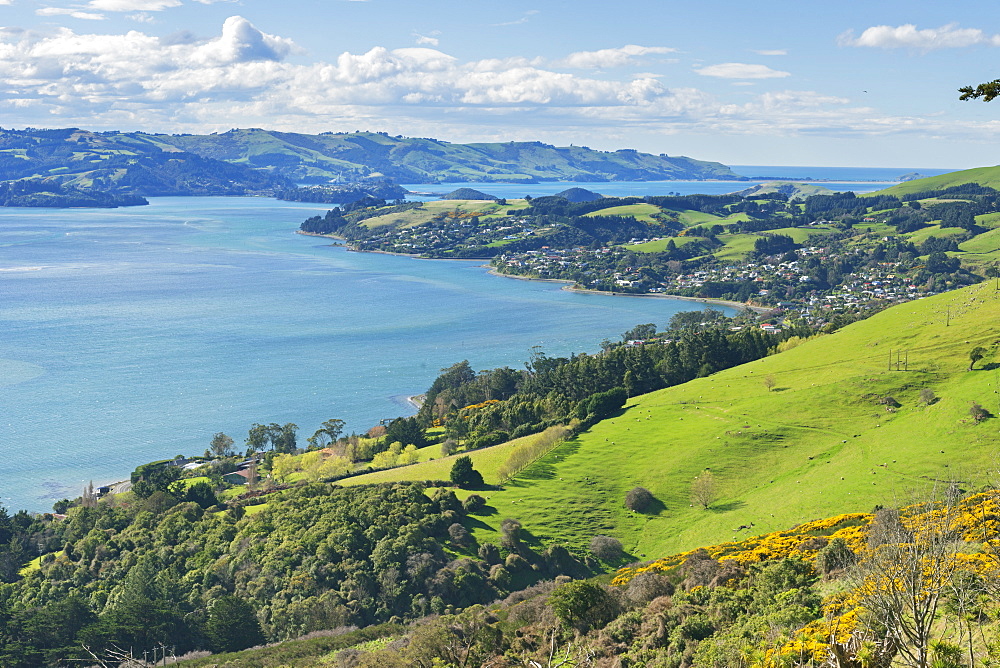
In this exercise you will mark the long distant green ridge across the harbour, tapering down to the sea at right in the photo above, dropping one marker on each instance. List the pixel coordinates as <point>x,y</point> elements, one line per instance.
<point>349,156</point>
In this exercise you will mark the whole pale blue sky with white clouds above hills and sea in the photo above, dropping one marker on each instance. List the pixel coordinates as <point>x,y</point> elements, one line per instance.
<point>770,82</point>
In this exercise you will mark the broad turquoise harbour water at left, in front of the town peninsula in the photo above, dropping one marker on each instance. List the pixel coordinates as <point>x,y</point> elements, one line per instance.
<point>130,335</point>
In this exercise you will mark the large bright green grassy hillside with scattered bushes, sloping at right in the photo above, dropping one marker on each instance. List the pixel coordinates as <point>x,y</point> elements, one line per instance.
<point>817,444</point>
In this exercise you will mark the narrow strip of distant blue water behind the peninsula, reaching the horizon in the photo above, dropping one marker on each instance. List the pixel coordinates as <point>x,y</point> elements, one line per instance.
<point>854,179</point>
